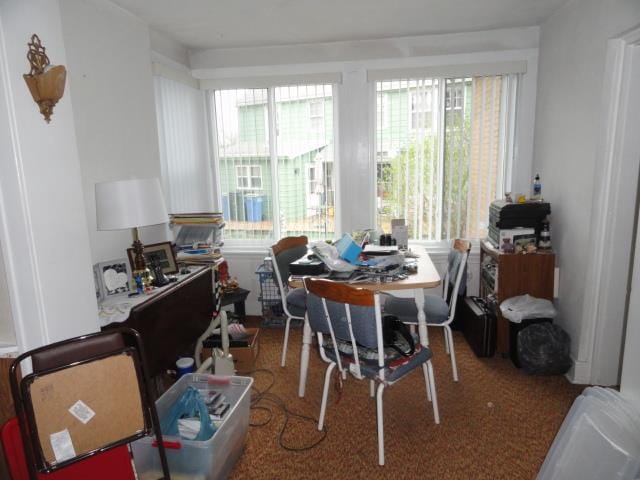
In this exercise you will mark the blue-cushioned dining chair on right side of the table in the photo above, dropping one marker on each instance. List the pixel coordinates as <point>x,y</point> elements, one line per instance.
<point>438,311</point>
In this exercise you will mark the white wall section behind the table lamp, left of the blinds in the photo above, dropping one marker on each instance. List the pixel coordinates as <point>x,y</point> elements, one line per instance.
<point>109,64</point>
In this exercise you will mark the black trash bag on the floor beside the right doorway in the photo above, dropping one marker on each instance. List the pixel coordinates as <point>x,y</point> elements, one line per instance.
<point>543,349</point>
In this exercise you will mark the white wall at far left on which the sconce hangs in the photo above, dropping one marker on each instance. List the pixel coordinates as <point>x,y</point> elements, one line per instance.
<point>42,222</point>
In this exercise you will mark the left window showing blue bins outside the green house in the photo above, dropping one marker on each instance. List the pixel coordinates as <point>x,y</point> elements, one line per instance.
<point>276,180</point>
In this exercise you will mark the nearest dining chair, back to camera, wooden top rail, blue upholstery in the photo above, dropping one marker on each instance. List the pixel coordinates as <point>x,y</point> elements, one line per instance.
<point>349,327</point>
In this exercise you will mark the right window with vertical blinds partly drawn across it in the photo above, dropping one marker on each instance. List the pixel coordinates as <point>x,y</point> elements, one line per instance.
<point>440,171</point>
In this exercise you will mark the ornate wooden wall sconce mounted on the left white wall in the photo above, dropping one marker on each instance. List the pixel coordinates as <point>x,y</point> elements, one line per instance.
<point>45,82</point>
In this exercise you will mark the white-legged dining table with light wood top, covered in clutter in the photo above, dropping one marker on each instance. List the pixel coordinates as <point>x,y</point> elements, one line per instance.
<point>413,285</point>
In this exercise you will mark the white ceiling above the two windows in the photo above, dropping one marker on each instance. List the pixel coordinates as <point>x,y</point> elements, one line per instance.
<point>201,24</point>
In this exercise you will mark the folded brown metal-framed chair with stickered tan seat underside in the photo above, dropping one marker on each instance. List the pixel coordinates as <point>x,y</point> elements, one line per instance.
<point>86,395</point>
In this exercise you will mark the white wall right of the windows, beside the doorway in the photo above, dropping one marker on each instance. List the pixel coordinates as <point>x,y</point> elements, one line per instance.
<point>570,127</point>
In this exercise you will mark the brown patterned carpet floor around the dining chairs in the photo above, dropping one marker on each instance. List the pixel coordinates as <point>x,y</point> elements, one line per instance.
<point>496,422</point>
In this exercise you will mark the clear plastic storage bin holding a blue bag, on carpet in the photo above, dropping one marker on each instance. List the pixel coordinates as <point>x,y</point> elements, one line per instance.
<point>201,460</point>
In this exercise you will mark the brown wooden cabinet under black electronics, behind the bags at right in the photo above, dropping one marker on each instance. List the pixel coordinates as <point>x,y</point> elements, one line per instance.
<point>514,275</point>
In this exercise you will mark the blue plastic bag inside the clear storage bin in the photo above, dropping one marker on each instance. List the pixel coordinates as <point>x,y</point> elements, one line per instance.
<point>189,405</point>
